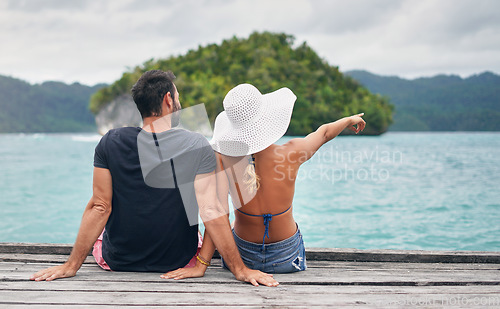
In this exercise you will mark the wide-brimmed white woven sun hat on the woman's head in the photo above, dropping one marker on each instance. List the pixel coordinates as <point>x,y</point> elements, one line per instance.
<point>251,121</point>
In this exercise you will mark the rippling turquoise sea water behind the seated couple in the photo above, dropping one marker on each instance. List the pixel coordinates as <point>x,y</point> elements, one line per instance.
<point>430,191</point>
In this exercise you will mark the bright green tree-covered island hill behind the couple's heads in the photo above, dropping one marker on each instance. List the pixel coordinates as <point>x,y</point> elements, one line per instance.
<point>269,61</point>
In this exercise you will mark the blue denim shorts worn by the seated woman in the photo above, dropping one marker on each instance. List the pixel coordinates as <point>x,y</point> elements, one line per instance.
<point>286,256</point>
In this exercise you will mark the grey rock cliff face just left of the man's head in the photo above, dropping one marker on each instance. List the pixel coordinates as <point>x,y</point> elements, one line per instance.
<point>121,112</point>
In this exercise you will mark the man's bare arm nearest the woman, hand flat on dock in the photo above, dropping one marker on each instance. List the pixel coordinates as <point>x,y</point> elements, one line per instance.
<point>217,224</point>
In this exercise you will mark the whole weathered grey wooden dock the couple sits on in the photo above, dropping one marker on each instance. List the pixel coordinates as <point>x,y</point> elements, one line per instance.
<point>334,278</point>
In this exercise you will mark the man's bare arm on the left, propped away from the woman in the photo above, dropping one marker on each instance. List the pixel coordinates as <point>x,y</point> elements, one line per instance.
<point>94,219</point>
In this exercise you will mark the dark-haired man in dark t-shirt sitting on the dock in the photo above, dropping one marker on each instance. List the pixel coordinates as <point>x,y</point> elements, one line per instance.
<point>147,228</point>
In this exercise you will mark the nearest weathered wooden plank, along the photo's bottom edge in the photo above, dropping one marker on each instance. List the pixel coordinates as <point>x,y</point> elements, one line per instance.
<point>254,297</point>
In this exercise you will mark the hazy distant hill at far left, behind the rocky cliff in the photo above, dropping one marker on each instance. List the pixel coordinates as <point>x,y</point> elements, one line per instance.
<point>46,107</point>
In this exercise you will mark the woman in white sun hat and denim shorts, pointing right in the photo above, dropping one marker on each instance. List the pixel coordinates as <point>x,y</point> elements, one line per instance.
<point>260,177</point>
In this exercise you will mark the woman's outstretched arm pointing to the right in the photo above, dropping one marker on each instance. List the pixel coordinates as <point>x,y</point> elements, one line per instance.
<point>305,148</point>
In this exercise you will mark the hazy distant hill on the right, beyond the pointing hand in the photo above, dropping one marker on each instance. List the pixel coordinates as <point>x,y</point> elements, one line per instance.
<point>439,103</point>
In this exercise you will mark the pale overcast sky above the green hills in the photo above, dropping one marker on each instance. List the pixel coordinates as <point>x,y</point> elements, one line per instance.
<point>94,41</point>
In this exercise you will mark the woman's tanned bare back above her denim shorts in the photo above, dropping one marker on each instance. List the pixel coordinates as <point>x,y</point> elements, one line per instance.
<point>275,194</point>
